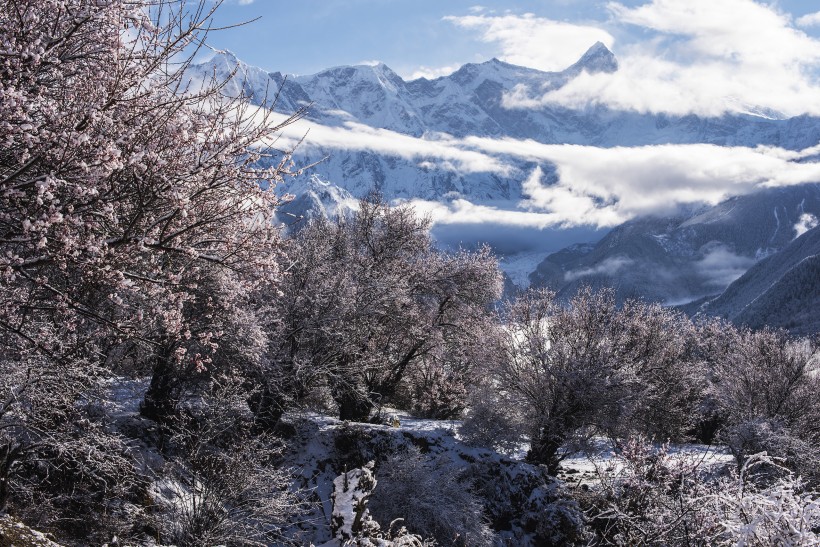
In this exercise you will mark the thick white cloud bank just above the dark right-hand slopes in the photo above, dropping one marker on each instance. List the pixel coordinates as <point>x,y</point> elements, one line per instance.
<point>607,186</point>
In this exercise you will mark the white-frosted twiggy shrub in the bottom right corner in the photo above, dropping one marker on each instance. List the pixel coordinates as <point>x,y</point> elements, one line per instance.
<point>649,496</point>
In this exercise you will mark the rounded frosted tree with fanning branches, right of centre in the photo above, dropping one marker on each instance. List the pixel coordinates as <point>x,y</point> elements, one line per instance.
<point>589,366</point>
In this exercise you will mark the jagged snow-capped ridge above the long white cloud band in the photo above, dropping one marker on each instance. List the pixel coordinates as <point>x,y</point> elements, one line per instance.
<point>470,102</point>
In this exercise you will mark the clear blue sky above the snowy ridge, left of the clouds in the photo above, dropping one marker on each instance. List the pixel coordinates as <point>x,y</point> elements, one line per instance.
<point>414,36</point>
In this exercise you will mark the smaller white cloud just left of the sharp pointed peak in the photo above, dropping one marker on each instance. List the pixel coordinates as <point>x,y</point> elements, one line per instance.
<point>533,41</point>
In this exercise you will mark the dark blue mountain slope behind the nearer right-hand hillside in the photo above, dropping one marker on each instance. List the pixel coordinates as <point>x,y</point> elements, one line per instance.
<point>674,260</point>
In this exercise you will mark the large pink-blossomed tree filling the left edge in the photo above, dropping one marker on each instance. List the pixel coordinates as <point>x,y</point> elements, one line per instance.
<point>121,187</point>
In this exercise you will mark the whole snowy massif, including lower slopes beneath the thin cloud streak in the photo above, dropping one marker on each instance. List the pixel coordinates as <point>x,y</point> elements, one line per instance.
<point>470,104</point>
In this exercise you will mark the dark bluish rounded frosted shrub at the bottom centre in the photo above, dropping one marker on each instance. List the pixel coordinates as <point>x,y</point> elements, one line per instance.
<point>431,497</point>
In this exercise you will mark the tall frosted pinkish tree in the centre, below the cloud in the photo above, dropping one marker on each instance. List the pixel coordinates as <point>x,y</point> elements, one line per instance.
<point>367,299</point>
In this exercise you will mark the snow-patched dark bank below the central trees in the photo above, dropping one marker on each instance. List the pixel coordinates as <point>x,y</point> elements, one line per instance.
<point>325,447</point>
